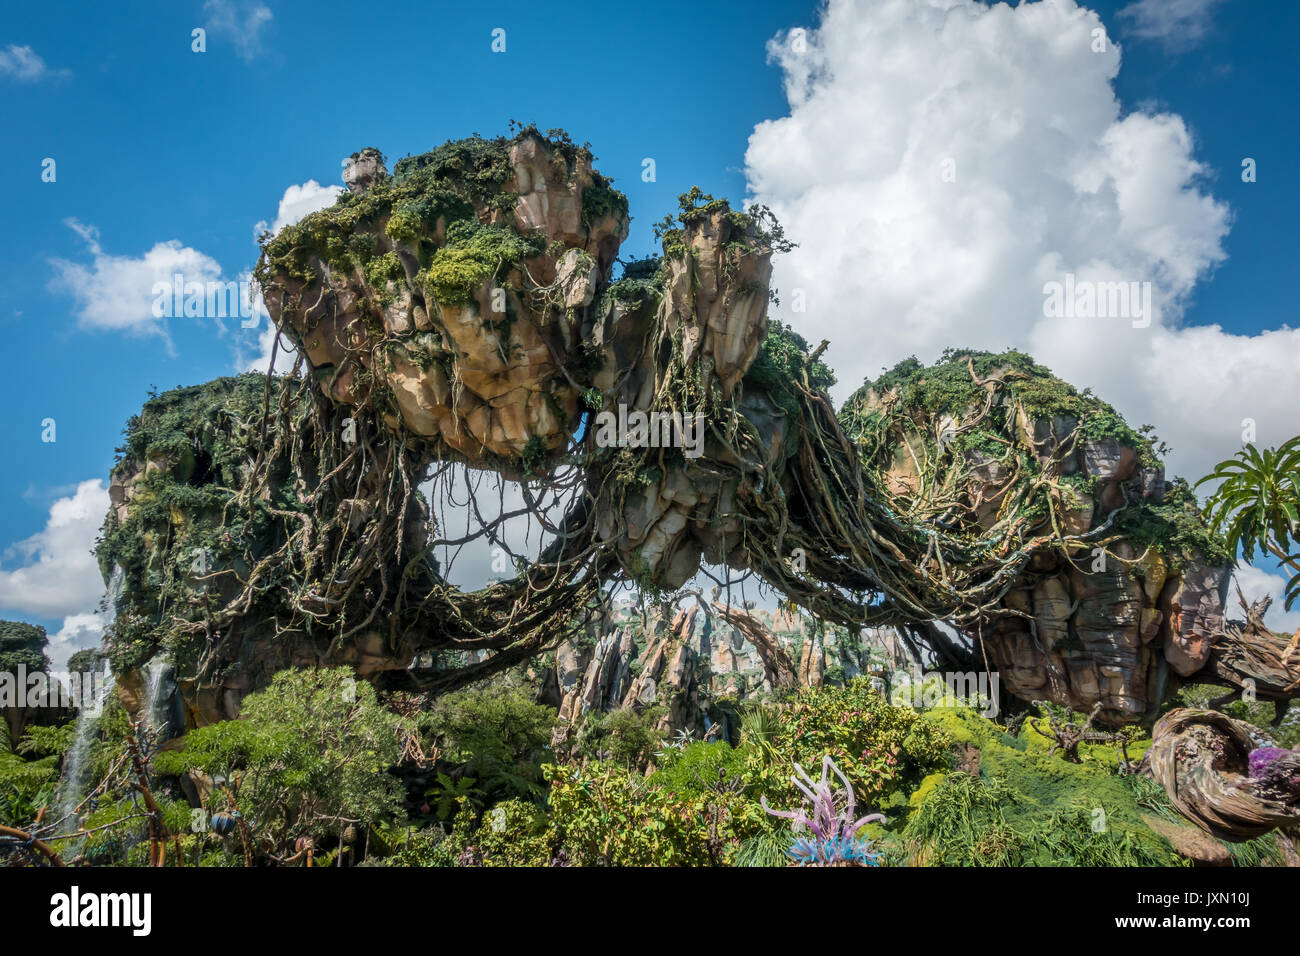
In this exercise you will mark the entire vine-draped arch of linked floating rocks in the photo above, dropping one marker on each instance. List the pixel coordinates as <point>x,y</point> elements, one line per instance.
<point>462,310</point>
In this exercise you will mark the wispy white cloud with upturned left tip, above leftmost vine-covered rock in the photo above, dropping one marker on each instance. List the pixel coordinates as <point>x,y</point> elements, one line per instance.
<point>116,293</point>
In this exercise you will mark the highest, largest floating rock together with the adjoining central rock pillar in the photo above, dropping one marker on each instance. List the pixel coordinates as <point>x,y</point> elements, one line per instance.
<point>489,328</point>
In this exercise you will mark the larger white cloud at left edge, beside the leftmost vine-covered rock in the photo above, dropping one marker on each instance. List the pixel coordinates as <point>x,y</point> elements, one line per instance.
<point>57,574</point>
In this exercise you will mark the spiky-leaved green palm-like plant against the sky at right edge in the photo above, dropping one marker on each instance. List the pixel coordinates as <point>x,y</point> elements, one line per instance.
<point>1258,505</point>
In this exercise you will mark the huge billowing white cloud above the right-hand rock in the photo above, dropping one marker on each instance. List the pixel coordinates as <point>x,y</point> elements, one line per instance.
<point>1051,179</point>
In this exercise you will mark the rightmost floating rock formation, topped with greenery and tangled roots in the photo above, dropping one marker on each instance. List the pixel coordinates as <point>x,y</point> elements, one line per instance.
<point>1129,600</point>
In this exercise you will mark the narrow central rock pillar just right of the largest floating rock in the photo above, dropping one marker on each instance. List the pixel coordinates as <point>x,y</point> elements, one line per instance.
<point>713,314</point>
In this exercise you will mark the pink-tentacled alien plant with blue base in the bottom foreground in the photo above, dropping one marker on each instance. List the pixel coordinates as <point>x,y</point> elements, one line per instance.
<point>826,833</point>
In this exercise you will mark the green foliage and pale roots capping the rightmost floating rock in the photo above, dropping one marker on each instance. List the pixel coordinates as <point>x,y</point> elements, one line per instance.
<point>939,430</point>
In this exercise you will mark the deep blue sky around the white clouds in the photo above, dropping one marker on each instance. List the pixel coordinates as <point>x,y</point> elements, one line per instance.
<point>157,144</point>
